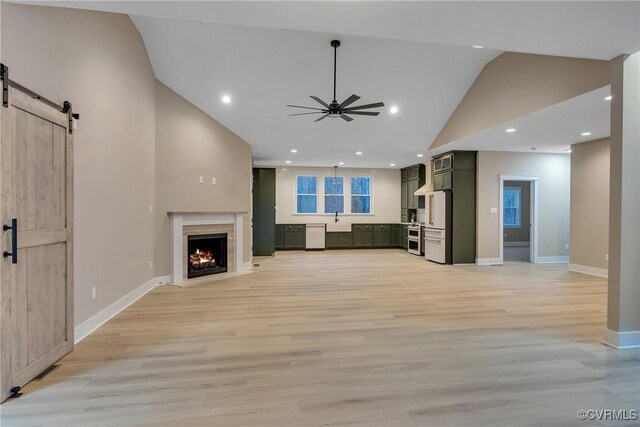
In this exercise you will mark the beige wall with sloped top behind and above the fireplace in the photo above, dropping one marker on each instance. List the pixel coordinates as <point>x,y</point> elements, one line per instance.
<point>191,144</point>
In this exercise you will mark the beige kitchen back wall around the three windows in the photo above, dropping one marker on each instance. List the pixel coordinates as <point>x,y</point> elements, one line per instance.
<point>385,195</point>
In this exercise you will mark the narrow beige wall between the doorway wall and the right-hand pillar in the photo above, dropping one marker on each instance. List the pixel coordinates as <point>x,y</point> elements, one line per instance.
<point>590,204</point>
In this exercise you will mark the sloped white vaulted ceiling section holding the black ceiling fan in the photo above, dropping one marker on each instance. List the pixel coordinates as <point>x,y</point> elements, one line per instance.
<point>265,69</point>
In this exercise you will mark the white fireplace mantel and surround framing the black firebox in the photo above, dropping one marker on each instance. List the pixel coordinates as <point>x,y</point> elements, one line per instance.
<point>181,219</point>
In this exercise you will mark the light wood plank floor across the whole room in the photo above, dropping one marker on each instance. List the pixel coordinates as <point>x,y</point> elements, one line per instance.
<point>366,338</point>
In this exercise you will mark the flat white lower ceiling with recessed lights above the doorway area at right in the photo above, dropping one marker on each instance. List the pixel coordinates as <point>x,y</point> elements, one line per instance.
<point>550,130</point>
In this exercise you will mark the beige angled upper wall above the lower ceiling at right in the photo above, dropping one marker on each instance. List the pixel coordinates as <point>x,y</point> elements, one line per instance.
<point>515,84</point>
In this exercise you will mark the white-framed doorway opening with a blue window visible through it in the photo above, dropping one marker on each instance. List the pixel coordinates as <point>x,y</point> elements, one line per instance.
<point>518,218</point>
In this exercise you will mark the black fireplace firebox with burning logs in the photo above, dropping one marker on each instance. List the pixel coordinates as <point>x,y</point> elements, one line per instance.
<point>206,254</point>
